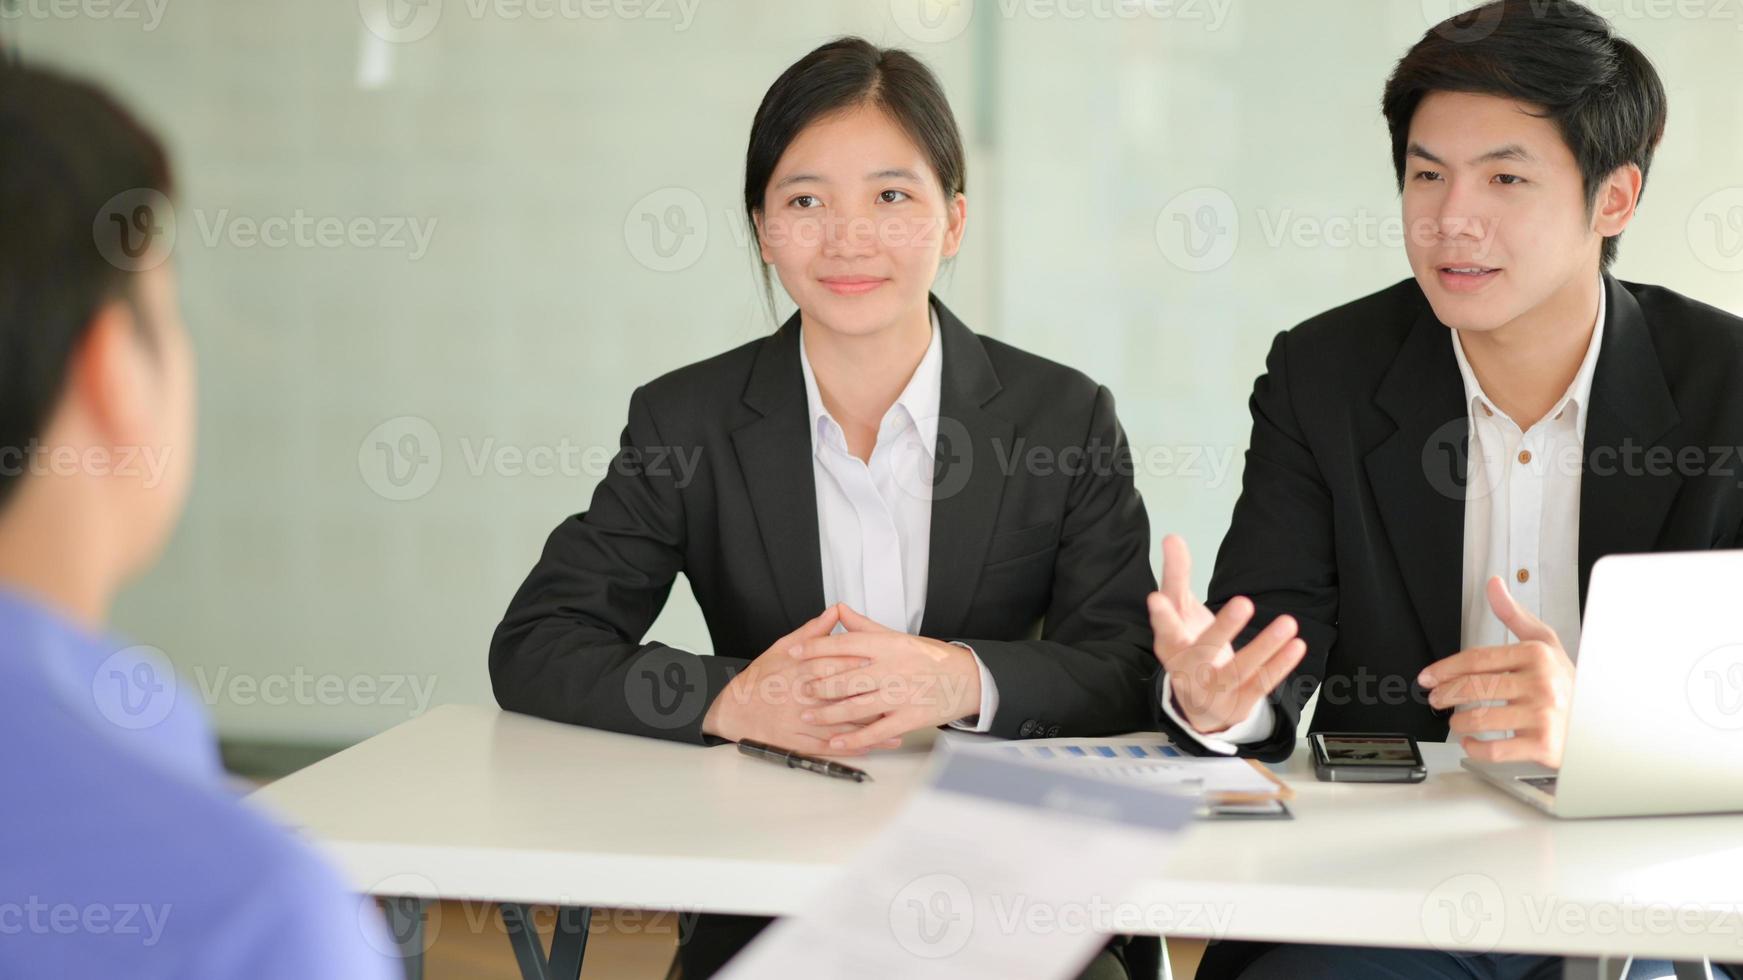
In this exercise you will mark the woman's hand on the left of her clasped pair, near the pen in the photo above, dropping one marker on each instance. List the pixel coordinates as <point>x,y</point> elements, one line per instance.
<point>766,700</point>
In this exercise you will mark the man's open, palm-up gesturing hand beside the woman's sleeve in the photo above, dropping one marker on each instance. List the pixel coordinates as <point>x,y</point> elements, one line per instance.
<point>1216,686</point>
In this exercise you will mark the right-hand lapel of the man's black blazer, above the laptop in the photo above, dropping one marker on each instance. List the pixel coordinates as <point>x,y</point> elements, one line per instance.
<point>1622,503</point>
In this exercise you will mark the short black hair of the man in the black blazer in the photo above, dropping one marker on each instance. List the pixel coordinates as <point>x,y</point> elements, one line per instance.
<point>1559,57</point>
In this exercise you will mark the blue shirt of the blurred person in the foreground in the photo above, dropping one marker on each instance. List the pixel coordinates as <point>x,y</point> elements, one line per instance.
<point>123,854</point>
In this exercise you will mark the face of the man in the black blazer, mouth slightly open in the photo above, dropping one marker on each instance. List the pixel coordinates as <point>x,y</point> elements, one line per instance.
<point>1496,210</point>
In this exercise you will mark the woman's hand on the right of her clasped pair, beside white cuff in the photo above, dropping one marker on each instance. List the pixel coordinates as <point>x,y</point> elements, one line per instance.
<point>905,683</point>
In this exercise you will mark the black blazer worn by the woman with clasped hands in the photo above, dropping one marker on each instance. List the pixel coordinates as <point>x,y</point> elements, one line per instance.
<point>1041,569</point>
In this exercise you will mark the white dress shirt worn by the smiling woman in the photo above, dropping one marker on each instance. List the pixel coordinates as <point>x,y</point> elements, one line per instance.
<point>876,519</point>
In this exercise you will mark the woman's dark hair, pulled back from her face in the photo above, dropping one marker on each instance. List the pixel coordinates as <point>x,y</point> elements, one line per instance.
<point>841,76</point>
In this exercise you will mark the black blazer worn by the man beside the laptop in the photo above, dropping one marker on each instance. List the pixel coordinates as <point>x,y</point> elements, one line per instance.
<point>1352,512</point>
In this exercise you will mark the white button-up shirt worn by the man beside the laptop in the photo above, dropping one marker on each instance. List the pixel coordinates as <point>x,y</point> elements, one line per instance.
<point>1521,522</point>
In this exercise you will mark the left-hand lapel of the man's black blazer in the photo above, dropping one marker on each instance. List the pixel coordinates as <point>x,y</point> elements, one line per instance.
<point>1420,473</point>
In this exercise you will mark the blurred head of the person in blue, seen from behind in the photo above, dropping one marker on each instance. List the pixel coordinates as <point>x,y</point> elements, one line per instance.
<point>97,372</point>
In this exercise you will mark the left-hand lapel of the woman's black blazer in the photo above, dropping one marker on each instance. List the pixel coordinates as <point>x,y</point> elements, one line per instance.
<point>775,456</point>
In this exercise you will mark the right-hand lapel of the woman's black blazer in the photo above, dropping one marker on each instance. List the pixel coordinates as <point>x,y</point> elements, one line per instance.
<point>968,479</point>
